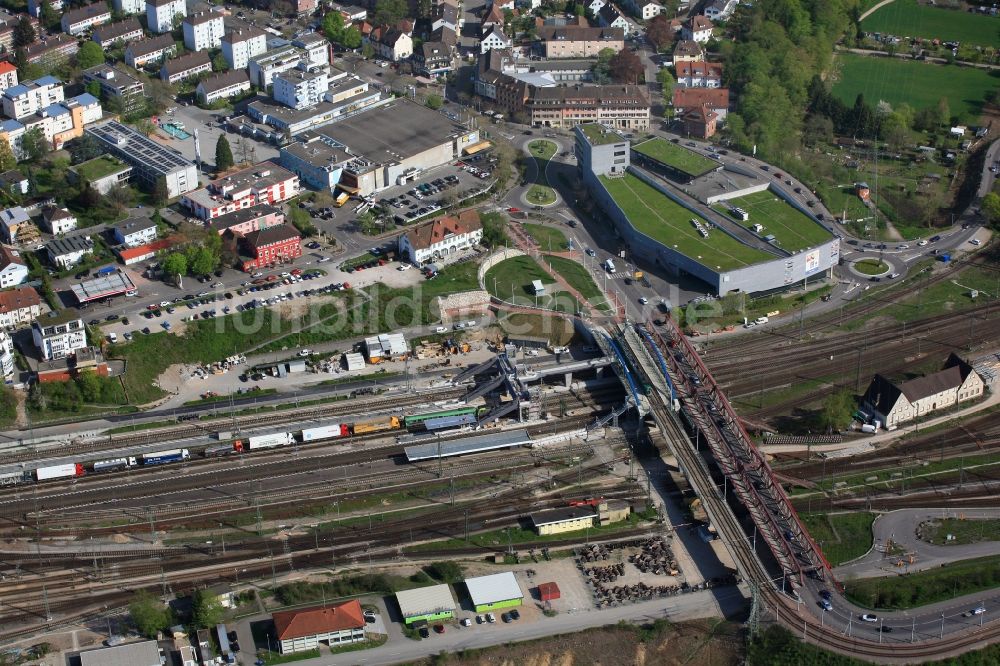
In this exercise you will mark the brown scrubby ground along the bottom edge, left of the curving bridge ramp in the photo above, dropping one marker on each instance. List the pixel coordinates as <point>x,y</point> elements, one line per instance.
<point>704,643</point>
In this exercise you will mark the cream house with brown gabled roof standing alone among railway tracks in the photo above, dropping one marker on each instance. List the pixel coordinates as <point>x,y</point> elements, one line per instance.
<point>892,403</point>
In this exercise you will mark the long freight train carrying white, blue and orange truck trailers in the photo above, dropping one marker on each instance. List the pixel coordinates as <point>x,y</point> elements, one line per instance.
<point>418,422</point>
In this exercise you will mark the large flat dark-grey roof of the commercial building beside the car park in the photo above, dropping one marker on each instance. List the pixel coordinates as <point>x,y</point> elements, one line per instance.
<point>394,131</point>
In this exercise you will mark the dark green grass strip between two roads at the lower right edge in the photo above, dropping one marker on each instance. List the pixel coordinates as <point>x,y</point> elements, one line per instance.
<point>926,587</point>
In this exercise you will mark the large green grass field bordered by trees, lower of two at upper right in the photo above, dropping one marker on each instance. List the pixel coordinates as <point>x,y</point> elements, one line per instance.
<point>919,84</point>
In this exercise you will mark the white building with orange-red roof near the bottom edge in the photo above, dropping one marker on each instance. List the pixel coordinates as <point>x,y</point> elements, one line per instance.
<point>305,629</point>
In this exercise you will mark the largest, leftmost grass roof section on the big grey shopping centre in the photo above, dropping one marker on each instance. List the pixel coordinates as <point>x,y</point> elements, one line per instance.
<point>667,222</point>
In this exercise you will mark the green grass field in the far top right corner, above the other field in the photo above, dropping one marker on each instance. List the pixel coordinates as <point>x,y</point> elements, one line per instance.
<point>908,18</point>
